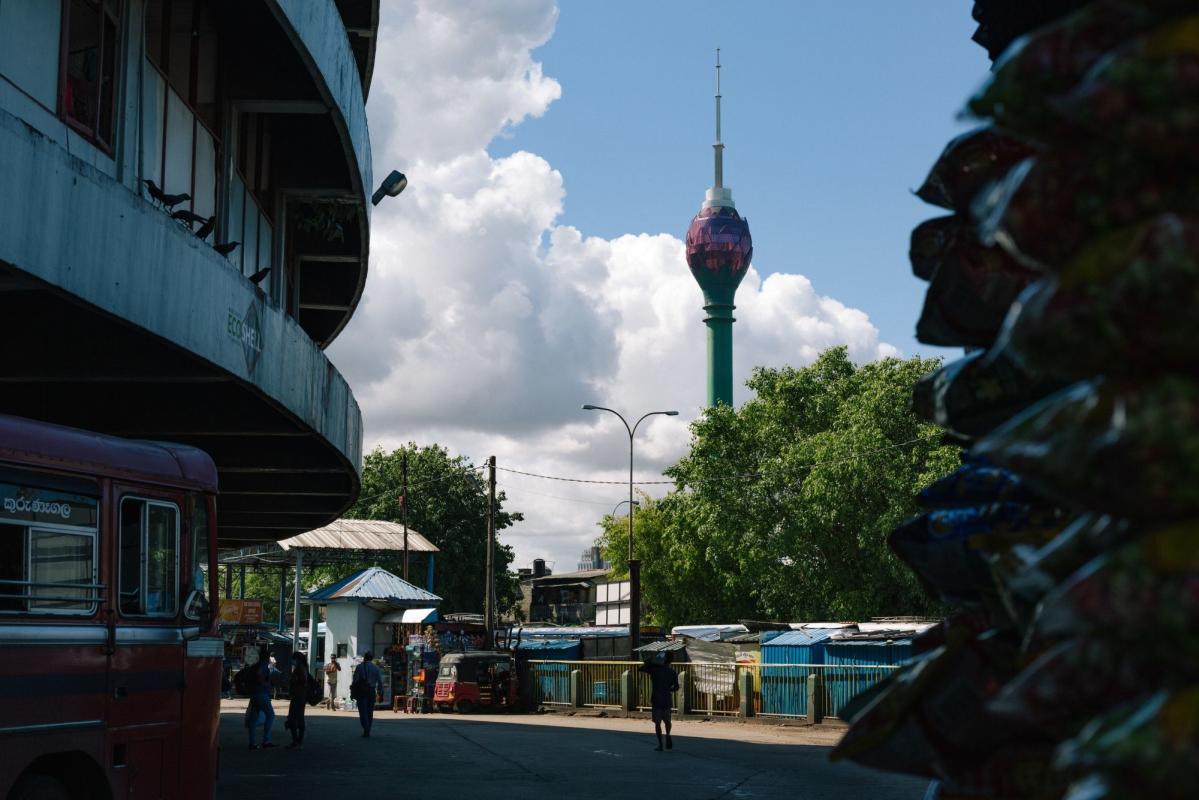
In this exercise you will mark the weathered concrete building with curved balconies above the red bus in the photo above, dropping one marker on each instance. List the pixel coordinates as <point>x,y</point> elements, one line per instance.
<point>140,141</point>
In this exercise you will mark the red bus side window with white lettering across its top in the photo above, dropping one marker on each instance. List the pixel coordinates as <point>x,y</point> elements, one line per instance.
<point>47,551</point>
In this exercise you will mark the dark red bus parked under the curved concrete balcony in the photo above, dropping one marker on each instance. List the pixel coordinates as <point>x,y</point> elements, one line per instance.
<point>110,655</point>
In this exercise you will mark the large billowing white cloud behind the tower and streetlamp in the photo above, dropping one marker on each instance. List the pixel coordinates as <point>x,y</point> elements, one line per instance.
<point>486,324</point>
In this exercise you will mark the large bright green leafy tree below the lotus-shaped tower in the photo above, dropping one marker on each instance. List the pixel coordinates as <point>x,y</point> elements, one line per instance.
<point>782,508</point>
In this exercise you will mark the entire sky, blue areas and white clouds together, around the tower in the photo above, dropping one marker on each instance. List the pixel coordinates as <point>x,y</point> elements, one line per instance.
<point>556,155</point>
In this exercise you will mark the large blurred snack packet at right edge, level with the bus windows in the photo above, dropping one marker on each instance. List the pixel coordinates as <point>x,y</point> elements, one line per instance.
<point>1144,596</point>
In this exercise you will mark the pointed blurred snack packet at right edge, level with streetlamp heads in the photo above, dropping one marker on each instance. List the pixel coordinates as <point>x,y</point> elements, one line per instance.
<point>1123,449</point>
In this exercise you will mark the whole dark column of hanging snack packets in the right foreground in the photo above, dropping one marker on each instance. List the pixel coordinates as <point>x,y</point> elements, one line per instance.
<point>1069,542</point>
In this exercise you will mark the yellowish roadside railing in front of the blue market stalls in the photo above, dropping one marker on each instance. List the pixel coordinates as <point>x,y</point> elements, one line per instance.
<point>794,691</point>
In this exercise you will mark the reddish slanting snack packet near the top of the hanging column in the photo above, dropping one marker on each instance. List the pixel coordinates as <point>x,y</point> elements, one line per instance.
<point>1055,59</point>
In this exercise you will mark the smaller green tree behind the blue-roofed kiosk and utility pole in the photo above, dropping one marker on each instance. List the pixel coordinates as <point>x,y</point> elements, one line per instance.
<point>448,506</point>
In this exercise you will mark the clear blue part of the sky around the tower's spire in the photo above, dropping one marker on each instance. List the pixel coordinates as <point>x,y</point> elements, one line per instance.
<point>834,112</point>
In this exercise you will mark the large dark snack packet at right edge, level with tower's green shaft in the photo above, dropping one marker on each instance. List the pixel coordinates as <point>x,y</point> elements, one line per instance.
<point>1124,305</point>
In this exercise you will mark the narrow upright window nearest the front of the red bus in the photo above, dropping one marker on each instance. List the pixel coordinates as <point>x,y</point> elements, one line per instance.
<point>149,548</point>
